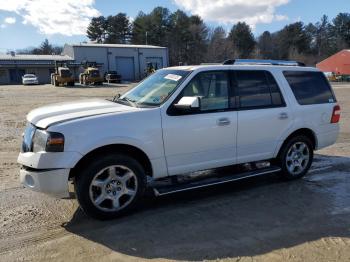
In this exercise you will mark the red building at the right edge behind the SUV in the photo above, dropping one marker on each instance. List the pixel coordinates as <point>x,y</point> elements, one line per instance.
<point>338,63</point>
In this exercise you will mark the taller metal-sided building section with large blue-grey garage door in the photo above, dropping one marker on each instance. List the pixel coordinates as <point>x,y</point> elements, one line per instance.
<point>130,61</point>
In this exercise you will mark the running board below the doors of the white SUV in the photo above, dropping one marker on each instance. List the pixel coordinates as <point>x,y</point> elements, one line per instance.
<point>211,181</point>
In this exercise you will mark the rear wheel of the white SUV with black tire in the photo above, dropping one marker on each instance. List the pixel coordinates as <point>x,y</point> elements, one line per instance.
<point>287,164</point>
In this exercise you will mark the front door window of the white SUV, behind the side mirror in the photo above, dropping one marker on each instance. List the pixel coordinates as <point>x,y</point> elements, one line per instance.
<point>212,87</point>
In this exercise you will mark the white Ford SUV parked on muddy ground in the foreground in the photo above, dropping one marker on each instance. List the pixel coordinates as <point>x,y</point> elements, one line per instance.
<point>178,121</point>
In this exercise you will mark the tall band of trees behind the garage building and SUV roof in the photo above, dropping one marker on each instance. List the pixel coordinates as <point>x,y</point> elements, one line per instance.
<point>191,41</point>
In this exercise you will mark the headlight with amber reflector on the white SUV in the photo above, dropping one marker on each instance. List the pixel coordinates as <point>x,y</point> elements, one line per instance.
<point>48,141</point>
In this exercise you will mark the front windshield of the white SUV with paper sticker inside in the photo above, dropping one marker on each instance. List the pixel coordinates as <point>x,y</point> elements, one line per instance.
<point>155,89</point>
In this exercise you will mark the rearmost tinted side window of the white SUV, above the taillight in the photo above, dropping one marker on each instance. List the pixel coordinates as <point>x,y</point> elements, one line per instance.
<point>310,87</point>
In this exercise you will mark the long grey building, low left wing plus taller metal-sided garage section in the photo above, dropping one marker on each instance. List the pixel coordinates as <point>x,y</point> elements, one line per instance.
<point>130,61</point>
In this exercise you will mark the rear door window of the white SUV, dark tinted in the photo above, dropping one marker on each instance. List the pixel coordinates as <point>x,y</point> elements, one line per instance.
<point>257,89</point>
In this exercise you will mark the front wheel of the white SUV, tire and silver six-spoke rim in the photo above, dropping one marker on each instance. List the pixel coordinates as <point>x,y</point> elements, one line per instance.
<point>110,186</point>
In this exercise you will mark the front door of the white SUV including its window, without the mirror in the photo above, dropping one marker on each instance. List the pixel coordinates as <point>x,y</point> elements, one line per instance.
<point>203,139</point>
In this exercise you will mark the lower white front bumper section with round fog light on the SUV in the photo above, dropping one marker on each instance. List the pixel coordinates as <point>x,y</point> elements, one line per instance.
<point>51,182</point>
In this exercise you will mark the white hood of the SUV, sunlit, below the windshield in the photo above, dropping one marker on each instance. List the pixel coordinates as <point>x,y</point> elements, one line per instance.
<point>46,116</point>
